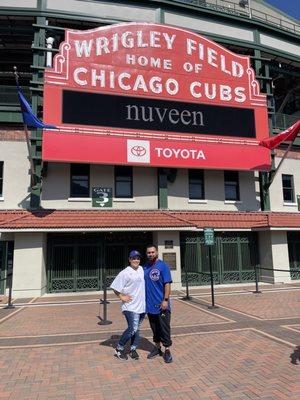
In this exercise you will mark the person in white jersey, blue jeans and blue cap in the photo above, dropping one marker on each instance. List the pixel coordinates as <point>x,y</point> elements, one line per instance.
<point>129,286</point>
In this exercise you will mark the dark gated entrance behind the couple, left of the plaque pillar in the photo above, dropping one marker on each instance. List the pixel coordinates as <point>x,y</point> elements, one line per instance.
<point>79,262</point>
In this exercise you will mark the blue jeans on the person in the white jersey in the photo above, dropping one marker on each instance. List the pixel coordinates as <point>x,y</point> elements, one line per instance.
<point>134,321</point>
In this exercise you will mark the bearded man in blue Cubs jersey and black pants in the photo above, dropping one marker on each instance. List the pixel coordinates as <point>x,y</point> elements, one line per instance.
<point>158,289</point>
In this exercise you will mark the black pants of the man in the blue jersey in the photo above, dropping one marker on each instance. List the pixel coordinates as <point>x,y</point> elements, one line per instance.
<point>160,325</point>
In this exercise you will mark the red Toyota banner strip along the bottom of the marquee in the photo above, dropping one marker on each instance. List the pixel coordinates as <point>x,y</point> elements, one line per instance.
<point>160,153</point>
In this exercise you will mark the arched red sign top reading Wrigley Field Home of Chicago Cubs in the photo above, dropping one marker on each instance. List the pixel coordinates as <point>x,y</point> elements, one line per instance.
<point>154,60</point>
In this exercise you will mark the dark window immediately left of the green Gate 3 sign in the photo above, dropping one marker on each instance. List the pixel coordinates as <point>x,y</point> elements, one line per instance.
<point>80,180</point>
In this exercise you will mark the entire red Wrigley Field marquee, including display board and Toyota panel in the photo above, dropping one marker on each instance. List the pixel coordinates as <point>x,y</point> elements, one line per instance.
<point>183,100</point>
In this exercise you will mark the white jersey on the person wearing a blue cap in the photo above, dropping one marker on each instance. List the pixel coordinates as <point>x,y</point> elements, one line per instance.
<point>131,281</point>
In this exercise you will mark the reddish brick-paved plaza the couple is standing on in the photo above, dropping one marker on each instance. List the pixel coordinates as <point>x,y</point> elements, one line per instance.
<point>52,348</point>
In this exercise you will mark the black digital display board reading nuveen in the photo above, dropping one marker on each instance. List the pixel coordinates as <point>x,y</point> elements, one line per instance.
<point>148,114</point>
